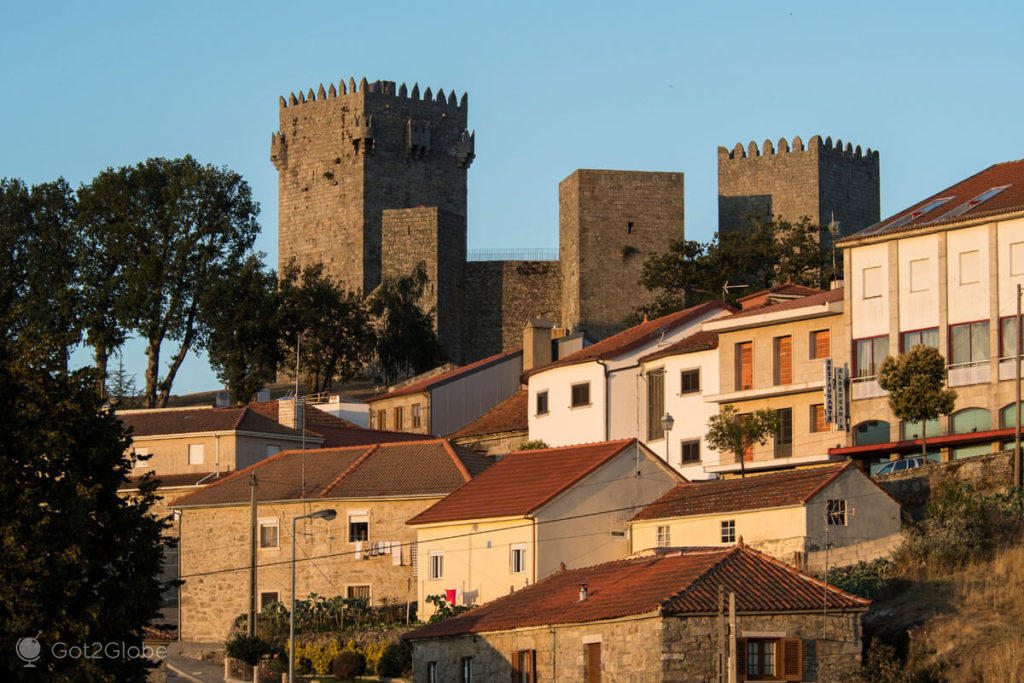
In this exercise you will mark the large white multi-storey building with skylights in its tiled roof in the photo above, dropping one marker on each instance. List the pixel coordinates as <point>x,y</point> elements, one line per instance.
<point>943,273</point>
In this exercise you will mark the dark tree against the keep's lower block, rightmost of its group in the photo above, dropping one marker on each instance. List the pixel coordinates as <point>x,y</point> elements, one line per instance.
<point>407,344</point>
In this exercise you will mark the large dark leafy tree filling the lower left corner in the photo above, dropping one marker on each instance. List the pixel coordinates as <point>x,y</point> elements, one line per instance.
<point>79,564</point>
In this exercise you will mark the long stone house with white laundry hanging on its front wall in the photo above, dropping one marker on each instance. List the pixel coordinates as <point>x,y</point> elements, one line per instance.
<point>365,552</point>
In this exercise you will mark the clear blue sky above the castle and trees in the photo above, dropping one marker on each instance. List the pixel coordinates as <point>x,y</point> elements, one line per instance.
<point>936,88</point>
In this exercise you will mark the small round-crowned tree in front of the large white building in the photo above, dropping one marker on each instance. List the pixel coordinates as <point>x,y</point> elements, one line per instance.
<point>916,382</point>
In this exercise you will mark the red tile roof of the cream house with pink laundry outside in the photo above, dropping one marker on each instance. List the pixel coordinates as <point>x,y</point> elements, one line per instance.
<point>522,483</point>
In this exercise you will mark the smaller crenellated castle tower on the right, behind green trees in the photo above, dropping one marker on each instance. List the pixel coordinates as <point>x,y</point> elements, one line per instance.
<point>822,181</point>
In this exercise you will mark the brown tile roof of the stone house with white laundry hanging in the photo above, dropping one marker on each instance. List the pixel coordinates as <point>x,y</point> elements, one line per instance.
<point>420,468</point>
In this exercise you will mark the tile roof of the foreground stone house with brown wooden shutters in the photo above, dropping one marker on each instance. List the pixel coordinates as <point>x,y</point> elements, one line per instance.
<point>674,582</point>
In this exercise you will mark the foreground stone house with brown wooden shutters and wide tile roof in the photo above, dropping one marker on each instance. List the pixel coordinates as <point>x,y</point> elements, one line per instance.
<point>657,617</point>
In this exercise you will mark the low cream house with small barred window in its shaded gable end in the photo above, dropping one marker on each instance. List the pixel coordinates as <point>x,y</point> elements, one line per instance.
<point>786,514</point>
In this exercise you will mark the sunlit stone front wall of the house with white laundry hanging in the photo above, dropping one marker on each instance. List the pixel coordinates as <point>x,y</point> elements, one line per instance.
<point>218,539</point>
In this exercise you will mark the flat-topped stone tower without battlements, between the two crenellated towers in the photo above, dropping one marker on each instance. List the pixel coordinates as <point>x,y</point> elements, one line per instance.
<point>610,223</point>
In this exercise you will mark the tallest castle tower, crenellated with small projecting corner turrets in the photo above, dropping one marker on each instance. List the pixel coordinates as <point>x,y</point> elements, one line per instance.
<point>348,154</point>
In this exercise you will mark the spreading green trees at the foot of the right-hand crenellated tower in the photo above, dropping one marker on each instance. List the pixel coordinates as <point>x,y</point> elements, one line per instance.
<point>759,255</point>
